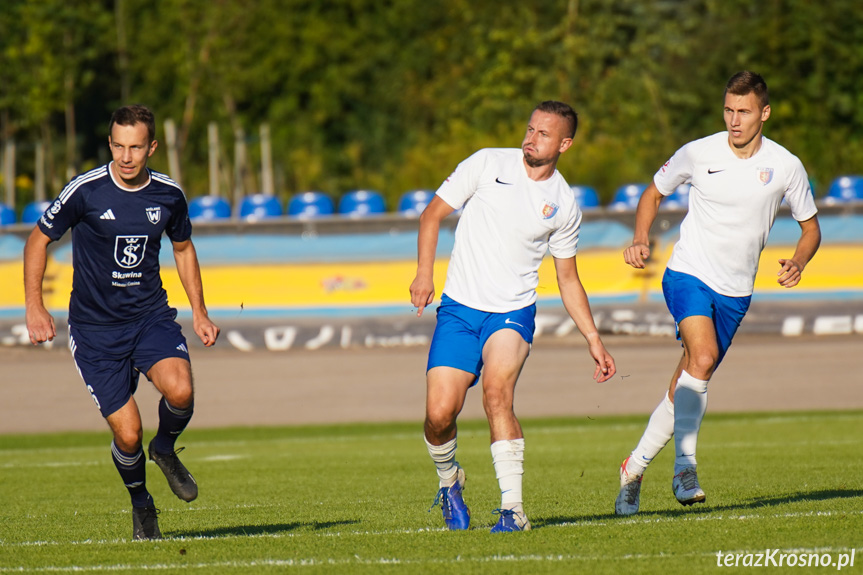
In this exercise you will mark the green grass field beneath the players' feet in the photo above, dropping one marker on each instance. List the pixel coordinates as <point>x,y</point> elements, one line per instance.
<point>354,499</point>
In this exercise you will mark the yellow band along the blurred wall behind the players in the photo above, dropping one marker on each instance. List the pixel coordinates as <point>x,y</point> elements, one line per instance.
<point>603,273</point>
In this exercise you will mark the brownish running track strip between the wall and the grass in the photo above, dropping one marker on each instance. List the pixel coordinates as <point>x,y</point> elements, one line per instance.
<point>40,390</point>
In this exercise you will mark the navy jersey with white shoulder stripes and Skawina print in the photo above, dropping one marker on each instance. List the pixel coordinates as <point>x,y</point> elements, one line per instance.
<point>116,239</point>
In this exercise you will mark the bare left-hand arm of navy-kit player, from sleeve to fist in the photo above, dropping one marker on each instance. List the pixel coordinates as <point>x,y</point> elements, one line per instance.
<point>40,324</point>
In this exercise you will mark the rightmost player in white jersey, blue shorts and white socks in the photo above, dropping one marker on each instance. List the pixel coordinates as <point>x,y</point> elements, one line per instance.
<point>739,178</point>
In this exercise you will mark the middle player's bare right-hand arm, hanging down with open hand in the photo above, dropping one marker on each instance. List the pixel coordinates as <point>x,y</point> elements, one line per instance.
<point>578,307</point>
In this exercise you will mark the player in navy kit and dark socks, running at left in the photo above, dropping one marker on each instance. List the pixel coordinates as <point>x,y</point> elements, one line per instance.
<point>120,324</point>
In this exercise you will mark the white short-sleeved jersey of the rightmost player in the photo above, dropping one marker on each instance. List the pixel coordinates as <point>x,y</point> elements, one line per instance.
<point>732,205</point>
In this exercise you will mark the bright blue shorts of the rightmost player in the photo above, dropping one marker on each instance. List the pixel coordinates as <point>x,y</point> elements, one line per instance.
<point>686,295</point>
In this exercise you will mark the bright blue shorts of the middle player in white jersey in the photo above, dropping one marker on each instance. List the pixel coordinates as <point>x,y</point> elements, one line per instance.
<point>462,331</point>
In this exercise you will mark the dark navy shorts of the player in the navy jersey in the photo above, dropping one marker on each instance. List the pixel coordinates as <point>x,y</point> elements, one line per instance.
<point>111,359</point>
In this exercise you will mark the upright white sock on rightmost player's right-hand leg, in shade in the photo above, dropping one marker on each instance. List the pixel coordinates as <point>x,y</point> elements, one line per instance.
<point>690,404</point>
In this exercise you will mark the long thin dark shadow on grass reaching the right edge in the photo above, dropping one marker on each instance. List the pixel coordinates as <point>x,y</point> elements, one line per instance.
<point>706,509</point>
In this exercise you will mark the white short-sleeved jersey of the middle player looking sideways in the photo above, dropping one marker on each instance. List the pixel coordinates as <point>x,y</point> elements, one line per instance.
<point>508,224</point>
